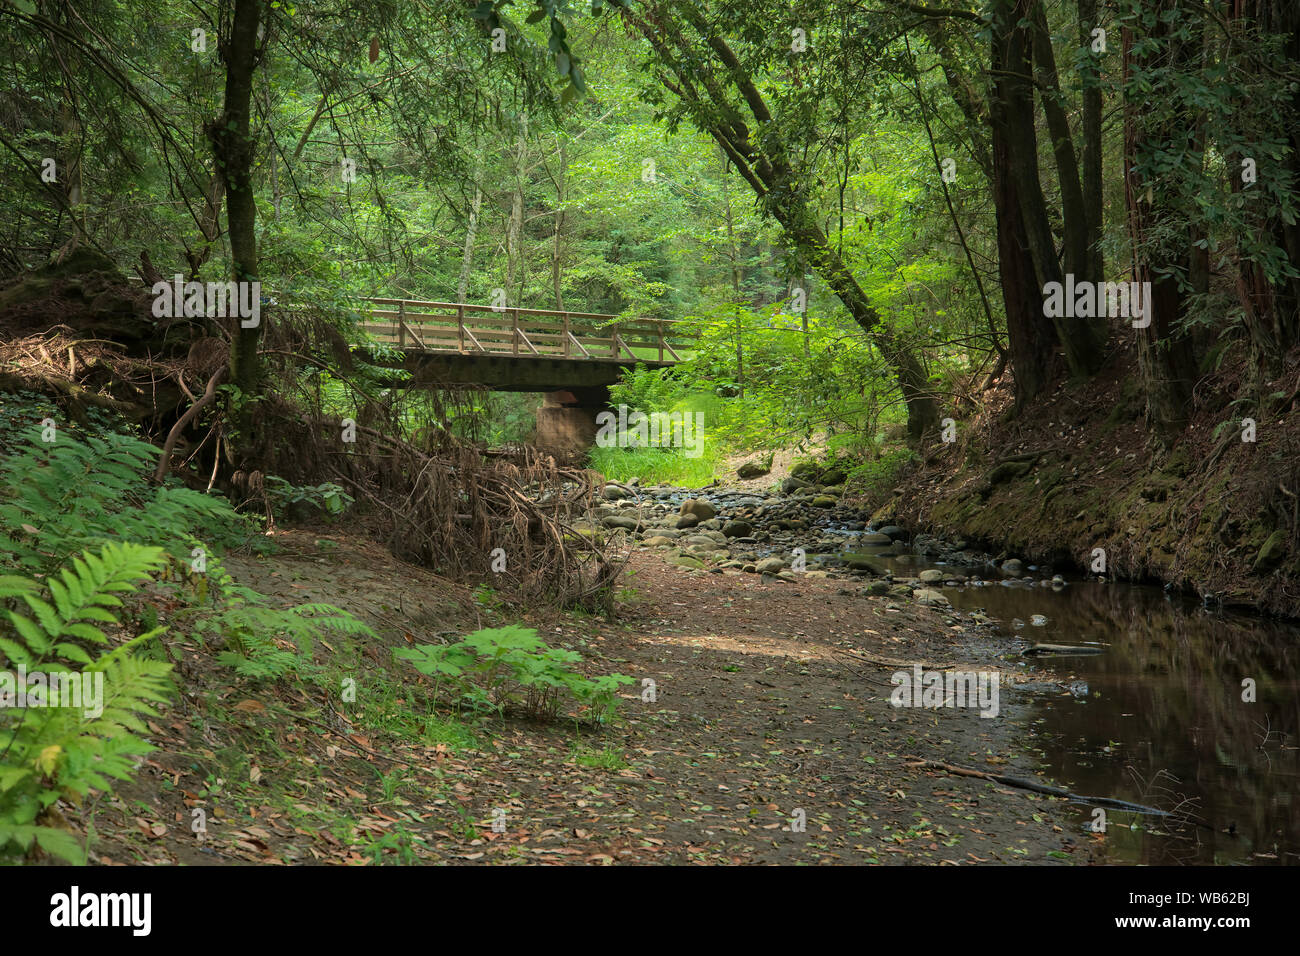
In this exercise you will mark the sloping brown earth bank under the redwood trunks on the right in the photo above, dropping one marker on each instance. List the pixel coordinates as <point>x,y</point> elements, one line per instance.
<point>1081,469</point>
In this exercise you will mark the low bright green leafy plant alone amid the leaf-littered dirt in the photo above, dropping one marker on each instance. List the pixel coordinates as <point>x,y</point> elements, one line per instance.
<point>501,665</point>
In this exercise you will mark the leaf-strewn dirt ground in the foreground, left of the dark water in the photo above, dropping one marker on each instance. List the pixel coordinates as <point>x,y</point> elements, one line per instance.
<point>765,706</point>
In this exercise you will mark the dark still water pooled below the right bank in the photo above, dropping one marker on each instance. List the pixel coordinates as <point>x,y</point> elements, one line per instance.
<point>1159,719</point>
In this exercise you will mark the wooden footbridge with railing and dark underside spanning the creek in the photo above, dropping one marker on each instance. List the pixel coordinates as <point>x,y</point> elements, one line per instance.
<point>518,349</point>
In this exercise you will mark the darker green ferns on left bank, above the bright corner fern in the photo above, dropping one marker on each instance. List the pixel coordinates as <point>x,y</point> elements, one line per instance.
<point>80,491</point>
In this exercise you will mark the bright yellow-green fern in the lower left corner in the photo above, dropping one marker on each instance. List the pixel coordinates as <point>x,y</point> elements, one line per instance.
<point>49,751</point>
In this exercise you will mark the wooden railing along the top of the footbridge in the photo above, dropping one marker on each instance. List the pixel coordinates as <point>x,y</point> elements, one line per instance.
<point>528,332</point>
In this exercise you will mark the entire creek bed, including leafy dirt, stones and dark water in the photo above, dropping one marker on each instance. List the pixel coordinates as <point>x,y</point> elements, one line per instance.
<point>770,738</point>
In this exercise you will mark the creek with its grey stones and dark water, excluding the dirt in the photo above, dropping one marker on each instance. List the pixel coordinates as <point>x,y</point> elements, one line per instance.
<point>1145,698</point>
